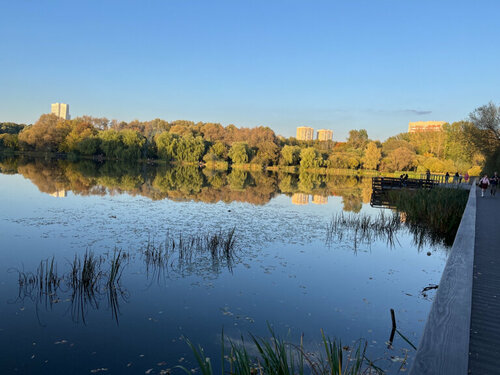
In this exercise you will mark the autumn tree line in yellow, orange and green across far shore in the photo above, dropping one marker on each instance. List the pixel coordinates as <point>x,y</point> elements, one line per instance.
<point>465,146</point>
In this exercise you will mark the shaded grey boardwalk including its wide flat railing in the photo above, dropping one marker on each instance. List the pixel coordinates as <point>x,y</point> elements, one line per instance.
<point>462,333</point>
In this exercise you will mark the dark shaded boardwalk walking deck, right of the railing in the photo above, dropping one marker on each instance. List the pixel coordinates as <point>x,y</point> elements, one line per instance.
<point>484,343</point>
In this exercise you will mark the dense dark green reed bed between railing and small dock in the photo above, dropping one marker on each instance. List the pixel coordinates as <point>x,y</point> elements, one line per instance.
<point>433,212</point>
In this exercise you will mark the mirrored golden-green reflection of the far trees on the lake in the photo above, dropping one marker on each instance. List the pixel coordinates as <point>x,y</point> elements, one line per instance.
<point>184,183</point>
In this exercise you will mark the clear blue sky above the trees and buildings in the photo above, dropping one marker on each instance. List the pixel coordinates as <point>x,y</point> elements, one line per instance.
<point>339,65</point>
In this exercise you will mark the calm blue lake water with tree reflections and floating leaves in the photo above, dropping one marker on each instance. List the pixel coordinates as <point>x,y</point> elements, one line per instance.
<point>283,273</point>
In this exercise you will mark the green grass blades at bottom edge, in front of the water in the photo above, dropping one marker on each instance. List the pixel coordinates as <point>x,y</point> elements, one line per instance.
<point>278,357</point>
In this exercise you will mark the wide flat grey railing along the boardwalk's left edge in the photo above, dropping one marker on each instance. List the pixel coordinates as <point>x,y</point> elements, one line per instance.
<point>444,347</point>
